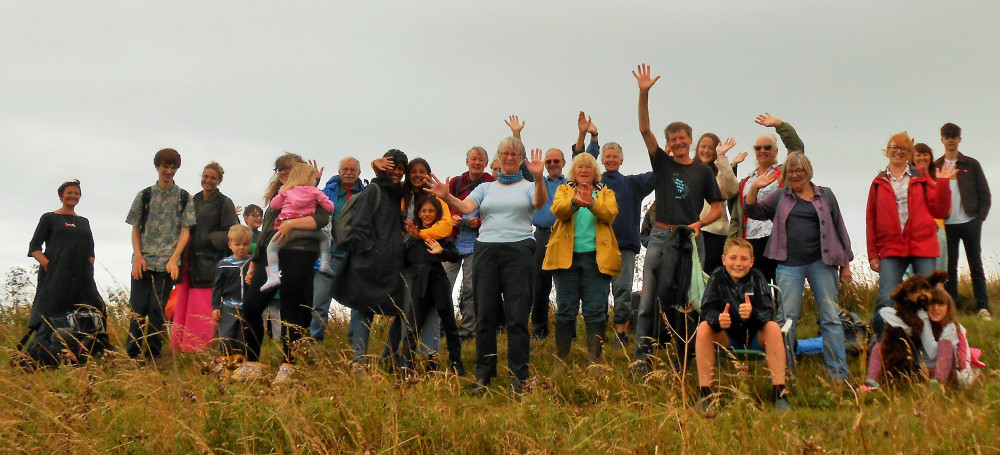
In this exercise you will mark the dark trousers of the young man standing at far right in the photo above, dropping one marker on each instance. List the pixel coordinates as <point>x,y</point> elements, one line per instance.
<point>970,234</point>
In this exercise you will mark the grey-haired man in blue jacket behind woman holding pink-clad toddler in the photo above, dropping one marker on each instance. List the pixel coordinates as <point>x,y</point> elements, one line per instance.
<point>339,189</point>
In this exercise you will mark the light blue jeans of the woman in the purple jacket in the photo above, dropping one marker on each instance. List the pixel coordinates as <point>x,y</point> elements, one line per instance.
<point>823,282</point>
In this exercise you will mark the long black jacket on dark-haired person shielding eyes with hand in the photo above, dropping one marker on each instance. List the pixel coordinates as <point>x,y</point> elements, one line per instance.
<point>370,280</point>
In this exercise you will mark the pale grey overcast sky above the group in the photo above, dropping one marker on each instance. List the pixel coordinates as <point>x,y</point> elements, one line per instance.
<point>91,90</point>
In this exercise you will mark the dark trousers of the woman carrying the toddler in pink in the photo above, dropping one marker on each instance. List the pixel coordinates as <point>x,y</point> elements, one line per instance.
<point>296,302</point>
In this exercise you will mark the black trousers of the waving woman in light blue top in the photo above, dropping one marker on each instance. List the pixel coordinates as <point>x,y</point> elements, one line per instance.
<point>502,269</point>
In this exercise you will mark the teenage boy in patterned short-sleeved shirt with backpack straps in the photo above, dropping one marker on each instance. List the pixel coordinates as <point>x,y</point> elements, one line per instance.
<point>161,217</point>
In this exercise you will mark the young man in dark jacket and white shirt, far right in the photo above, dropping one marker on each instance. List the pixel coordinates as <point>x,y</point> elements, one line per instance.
<point>970,204</point>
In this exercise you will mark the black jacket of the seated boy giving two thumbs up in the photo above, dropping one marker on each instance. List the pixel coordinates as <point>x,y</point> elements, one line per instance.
<point>721,289</point>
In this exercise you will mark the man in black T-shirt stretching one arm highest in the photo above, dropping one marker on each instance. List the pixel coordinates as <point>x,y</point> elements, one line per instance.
<point>682,186</point>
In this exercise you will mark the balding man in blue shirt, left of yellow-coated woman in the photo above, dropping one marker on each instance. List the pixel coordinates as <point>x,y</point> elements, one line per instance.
<point>543,220</point>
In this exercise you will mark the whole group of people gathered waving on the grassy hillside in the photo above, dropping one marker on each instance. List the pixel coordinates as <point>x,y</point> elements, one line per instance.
<point>399,242</point>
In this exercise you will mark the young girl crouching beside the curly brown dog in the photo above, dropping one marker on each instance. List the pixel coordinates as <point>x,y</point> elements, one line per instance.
<point>948,347</point>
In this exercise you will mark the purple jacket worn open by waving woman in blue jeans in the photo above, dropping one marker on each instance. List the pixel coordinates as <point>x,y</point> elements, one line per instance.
<point>835,242</point>
